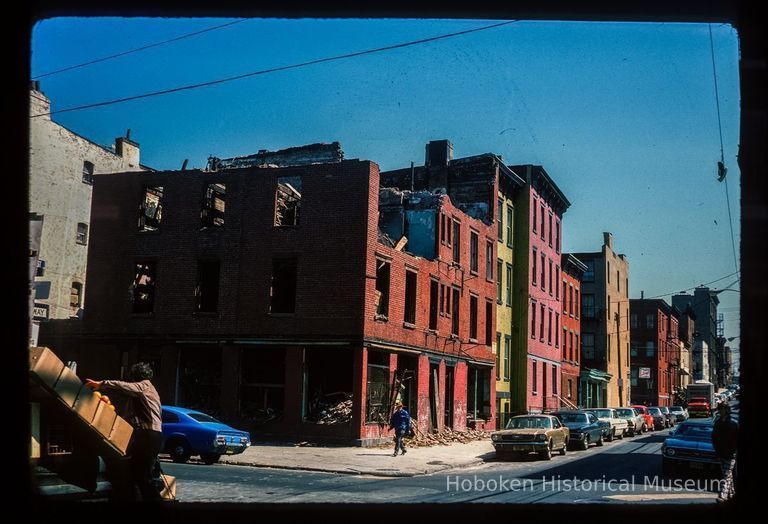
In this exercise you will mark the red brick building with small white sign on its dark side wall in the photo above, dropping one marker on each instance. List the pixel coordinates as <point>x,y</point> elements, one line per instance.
<point>654,350</point>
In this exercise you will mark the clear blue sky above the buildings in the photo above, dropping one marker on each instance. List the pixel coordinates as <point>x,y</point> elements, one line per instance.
<point>622,115</point>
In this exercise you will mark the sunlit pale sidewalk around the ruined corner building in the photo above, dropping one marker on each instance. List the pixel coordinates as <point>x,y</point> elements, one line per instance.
<point>376,461</point>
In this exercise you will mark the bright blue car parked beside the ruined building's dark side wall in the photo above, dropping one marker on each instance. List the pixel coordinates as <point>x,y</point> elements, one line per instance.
<point>187,432</point>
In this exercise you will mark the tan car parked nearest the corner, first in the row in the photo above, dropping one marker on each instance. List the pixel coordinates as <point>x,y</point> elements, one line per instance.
<point>526,433</point>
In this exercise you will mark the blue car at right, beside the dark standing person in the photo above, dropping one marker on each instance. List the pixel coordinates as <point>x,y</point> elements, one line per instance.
<point>689,446</point>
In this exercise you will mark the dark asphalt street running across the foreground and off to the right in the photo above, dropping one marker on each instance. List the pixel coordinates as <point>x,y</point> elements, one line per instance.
<point>622,471</point>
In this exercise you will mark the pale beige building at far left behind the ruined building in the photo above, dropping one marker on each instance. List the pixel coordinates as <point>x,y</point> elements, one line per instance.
<point>62,165</point>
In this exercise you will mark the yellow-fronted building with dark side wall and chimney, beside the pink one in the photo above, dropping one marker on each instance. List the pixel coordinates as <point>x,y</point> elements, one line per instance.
<point>486,189</point>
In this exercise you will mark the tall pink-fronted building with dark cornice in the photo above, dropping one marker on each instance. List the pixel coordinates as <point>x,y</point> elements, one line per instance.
<point>537,325</point>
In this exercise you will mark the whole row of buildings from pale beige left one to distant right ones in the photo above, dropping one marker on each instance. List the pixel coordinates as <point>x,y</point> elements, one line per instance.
<point>298,292</point>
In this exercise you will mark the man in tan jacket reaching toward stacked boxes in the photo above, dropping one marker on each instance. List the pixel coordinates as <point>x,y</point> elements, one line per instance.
<point>143,413</point>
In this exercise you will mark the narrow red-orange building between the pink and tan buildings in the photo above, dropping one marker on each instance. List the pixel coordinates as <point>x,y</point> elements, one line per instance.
<point>573,271</point>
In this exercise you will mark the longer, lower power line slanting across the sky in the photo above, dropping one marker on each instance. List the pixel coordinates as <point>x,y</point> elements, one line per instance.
<point>276,69</point>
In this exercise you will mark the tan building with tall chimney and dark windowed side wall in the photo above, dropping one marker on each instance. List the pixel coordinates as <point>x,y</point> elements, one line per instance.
<point>605,365</point>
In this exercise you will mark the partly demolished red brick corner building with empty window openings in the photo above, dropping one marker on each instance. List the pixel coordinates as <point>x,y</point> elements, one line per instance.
<point>264,295</point>
